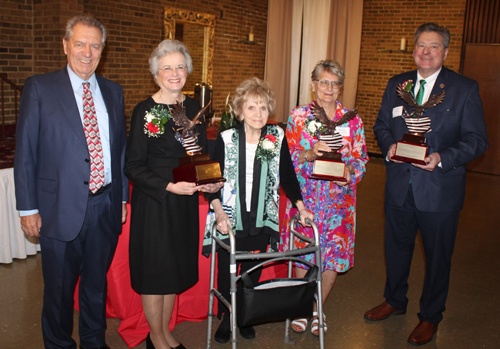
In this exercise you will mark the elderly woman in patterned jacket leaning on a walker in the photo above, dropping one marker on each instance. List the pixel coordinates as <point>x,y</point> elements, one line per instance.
<point>255,160</point>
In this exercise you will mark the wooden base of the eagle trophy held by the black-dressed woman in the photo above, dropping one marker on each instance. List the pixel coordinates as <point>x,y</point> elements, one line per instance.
<point>198,169</point>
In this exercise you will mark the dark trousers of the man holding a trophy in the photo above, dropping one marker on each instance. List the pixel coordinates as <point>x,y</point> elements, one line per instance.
<point>438,231</point>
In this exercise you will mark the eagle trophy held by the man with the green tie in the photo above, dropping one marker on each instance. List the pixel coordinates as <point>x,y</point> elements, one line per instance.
<point>412,147</point>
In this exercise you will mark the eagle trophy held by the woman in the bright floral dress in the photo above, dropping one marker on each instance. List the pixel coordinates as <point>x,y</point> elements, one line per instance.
<point>330,166</point>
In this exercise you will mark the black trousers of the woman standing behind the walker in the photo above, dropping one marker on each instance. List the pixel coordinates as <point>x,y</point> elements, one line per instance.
<point>250,243</point>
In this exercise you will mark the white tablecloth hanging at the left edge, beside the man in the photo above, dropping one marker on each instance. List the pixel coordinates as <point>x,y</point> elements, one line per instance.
<point>13,242</point>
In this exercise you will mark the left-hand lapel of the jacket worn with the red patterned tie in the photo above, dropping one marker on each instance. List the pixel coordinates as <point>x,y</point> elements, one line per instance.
<point>67,98</point>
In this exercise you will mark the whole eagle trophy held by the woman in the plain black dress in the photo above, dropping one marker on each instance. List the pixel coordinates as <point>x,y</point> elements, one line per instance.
<point>195,167</point>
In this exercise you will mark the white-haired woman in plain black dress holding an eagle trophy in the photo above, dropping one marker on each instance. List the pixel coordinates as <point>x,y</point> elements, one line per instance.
<point>164,230</point>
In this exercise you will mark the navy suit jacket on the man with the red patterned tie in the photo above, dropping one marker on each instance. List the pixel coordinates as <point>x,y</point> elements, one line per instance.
<point>51,166</point>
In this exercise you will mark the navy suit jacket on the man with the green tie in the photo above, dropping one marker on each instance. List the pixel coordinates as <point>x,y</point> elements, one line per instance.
<point>458,134</point>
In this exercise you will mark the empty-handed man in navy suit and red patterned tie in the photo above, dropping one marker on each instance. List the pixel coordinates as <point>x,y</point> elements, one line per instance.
<point>70,187</point>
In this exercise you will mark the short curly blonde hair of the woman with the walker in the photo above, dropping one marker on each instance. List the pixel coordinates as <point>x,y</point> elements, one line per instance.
<point>253,88</point>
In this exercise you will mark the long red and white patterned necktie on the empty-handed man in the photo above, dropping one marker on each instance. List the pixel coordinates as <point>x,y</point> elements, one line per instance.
<point>91,129</point>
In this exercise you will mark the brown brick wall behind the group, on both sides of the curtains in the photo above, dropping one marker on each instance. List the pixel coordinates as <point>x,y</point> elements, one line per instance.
<point>32,31</point>
